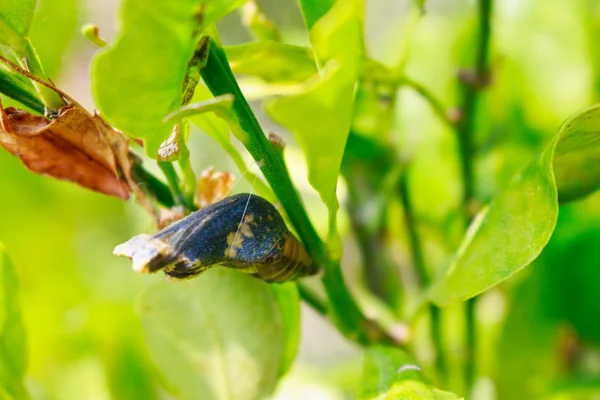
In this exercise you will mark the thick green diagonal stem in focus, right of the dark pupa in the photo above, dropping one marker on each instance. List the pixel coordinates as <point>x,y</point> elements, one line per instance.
<point>344,311</point>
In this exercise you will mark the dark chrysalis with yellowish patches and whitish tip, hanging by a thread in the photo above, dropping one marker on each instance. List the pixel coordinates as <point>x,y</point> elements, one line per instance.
<point>244,232</point>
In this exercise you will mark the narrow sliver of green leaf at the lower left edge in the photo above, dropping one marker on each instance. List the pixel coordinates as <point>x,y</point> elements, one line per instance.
<point>13,346</point>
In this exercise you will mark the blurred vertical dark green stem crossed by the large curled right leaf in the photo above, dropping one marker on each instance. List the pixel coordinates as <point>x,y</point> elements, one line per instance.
<point>470,93</point>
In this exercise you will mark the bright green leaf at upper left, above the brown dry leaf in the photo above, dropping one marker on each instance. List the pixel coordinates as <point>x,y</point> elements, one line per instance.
<point>139,79</point>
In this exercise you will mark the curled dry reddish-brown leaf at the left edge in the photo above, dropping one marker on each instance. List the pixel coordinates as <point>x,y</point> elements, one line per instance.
<point>76,146</point>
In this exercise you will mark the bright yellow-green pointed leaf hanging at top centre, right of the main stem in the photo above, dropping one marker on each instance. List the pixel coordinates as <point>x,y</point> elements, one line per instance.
<point>320,117</point>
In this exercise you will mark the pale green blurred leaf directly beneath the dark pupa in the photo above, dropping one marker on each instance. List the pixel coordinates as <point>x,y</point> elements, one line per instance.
<point>219,336</point>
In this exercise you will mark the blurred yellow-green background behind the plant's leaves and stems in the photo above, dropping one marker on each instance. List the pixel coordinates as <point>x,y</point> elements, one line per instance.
<point>541,328</point>
